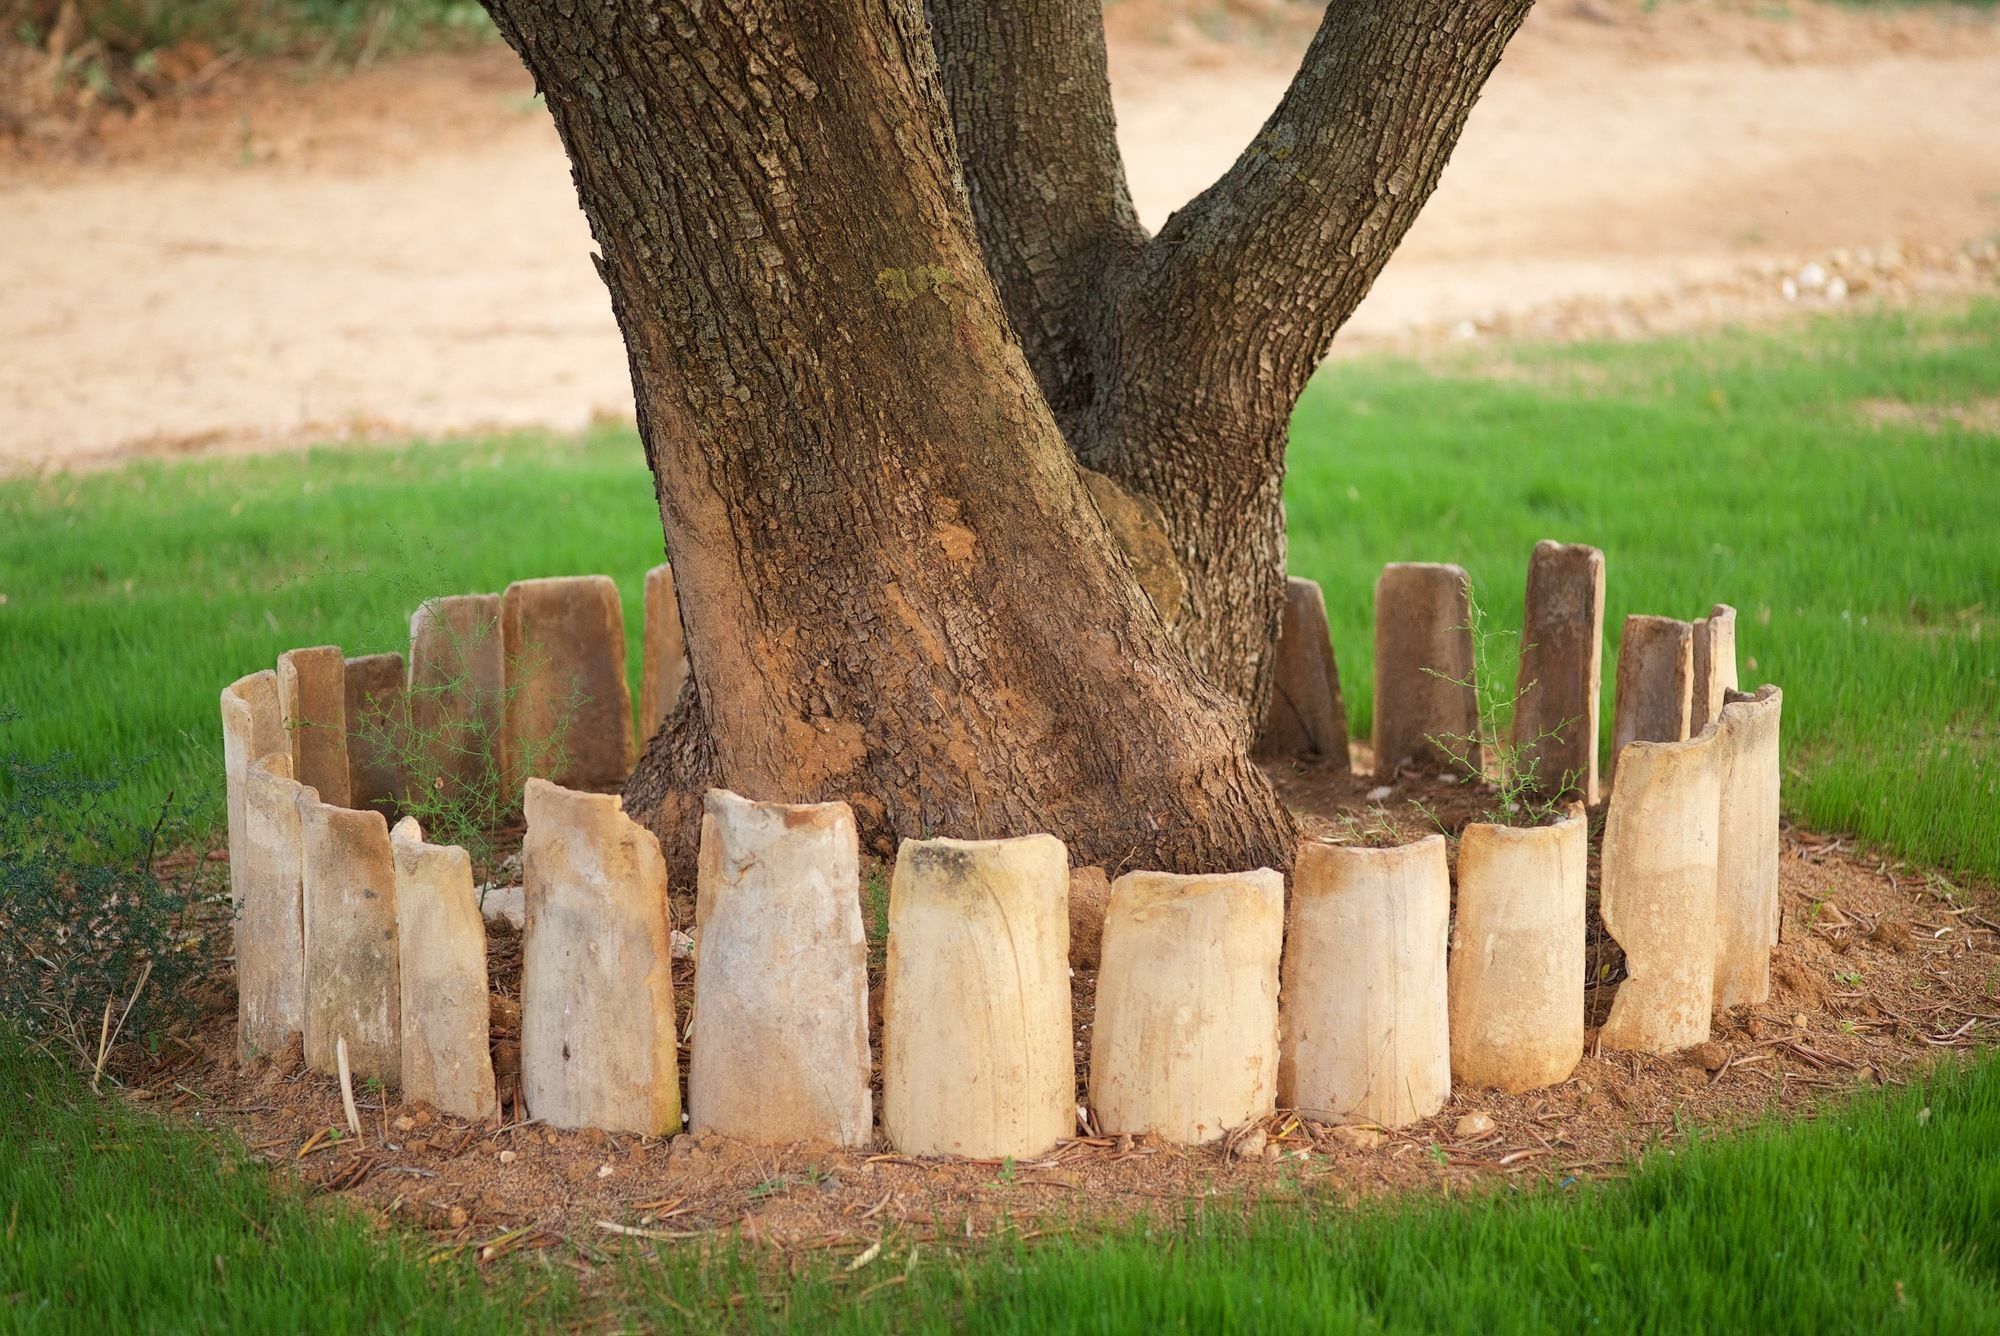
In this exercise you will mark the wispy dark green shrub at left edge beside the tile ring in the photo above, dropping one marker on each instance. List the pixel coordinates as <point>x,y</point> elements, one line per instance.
<point>103,923</point>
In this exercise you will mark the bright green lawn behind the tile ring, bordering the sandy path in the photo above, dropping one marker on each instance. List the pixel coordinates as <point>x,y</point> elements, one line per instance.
<point>1723,469</point>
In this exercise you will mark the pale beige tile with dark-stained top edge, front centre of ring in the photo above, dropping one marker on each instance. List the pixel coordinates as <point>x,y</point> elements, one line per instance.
<point>977,1041</point>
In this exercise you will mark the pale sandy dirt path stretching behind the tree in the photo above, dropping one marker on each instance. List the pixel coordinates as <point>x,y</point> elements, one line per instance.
<point>401,251</point>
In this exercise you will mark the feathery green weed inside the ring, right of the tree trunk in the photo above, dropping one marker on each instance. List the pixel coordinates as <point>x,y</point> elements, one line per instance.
<point>1491,753</point>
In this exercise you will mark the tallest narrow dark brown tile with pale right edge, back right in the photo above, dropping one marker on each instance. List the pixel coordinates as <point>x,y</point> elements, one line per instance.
<point>1561,667</point>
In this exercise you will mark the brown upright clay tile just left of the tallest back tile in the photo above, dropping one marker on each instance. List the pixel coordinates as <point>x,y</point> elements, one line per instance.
<point>1425,705</point>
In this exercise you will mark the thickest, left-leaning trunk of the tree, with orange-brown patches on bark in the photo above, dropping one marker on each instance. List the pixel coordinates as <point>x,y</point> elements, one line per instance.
<point>893,583</point>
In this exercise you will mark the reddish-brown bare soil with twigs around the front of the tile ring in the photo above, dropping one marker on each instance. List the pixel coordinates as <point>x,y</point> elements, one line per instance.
<point>1879,973</point>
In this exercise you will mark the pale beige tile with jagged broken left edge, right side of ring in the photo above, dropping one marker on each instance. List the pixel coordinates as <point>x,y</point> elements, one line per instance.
<point>1659,891</point>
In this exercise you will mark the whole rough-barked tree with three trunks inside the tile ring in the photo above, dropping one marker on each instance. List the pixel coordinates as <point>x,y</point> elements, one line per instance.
<point>883,291</point>
